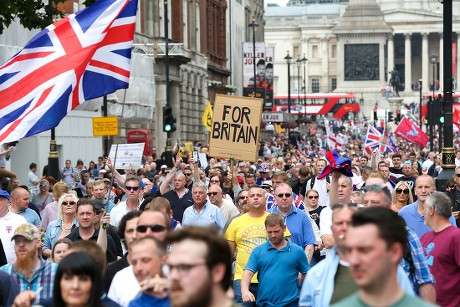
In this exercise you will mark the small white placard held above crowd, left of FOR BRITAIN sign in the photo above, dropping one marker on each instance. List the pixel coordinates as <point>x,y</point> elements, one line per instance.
<point>128,155</point>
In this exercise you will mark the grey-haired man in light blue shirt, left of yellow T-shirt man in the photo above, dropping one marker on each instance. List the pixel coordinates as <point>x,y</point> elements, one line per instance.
<point>202,212</point>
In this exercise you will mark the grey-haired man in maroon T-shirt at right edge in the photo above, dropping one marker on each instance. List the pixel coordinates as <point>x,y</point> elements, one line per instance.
<point>442,248</point>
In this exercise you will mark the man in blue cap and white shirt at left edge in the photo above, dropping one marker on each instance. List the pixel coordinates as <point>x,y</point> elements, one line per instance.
<point>9,221</point>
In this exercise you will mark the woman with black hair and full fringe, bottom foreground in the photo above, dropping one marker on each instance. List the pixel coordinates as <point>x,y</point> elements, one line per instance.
<point>78,282</point>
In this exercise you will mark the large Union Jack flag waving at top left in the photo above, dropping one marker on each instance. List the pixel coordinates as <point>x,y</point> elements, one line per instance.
<point>83,56</point>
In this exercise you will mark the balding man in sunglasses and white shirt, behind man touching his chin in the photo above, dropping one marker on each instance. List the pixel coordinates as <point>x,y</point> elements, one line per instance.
<point>124,286</point>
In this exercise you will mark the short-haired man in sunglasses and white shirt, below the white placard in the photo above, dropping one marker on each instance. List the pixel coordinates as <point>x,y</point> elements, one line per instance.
<point>132,202</point>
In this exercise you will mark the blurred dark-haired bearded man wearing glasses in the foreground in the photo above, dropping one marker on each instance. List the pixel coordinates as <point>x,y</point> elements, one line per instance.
<point>200,268</point>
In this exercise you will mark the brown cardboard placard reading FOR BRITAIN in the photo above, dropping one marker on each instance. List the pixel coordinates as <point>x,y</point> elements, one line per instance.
<point>236,128</point>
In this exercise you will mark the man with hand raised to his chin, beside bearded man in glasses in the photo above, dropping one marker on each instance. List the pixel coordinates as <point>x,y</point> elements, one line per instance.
<point>146,255</point>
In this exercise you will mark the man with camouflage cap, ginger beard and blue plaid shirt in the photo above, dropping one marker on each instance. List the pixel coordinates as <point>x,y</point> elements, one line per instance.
<point>29,270</point>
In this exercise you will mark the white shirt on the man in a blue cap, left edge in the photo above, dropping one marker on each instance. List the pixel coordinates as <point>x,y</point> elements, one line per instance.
<point>8,225</point>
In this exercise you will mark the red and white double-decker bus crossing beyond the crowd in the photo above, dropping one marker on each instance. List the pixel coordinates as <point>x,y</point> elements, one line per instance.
<point>338,105</point>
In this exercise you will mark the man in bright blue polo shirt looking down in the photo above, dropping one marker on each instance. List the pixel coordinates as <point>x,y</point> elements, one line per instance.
<point>277,259</point>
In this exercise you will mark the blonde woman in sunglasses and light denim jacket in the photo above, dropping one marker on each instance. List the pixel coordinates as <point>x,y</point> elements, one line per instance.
<point>61,227</point>
